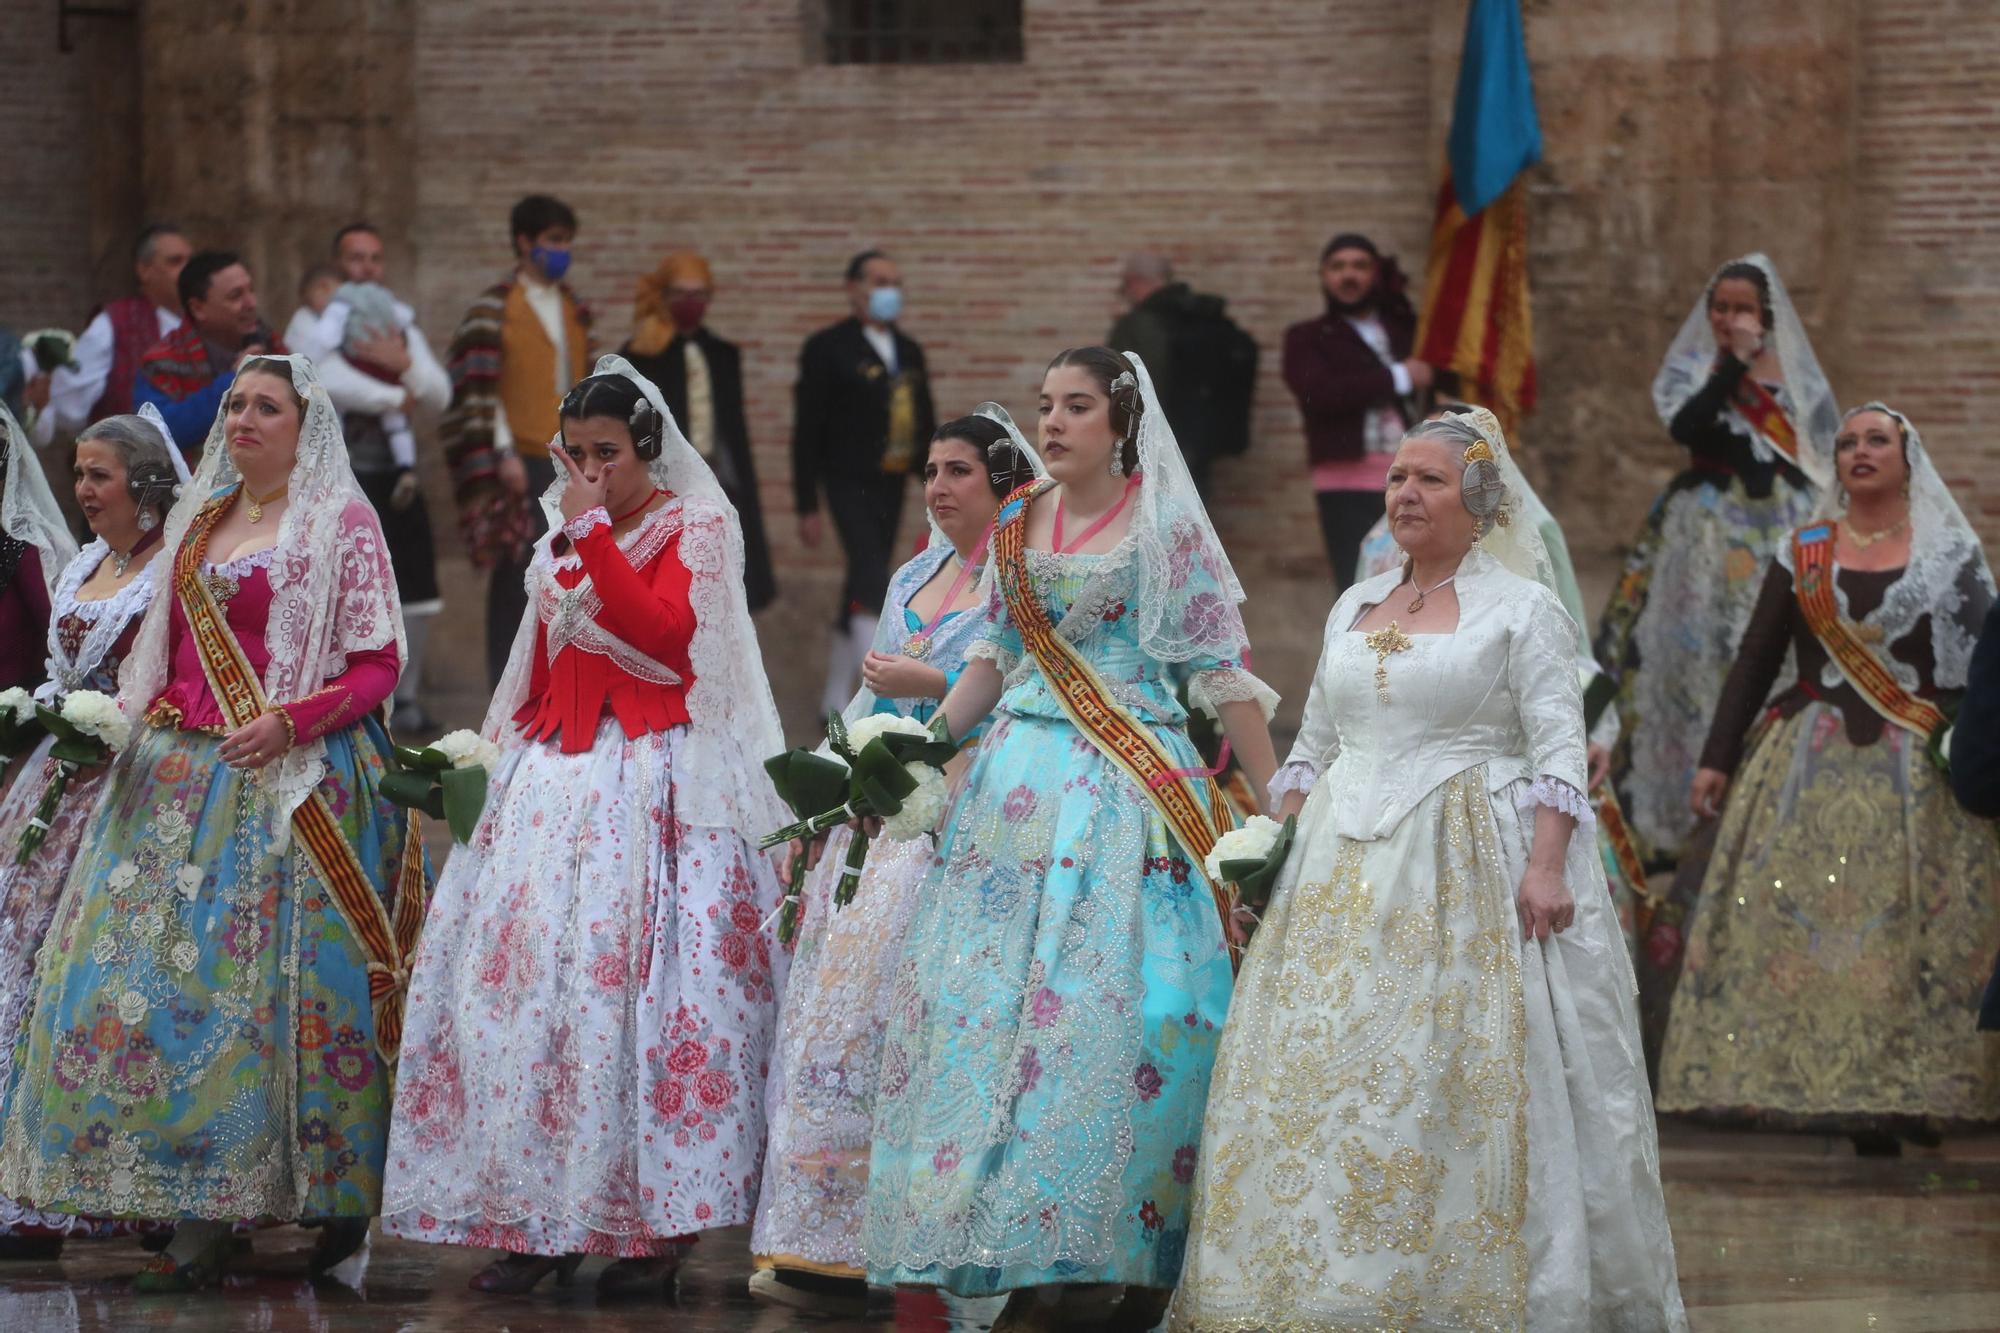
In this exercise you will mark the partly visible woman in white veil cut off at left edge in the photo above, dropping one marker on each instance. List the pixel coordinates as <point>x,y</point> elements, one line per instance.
<point>35,547</point>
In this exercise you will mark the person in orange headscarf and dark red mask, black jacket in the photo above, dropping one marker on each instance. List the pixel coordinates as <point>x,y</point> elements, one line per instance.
<point>703,383</point>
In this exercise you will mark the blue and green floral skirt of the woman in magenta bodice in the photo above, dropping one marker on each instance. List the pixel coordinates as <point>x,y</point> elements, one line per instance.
<point>201,1040</point>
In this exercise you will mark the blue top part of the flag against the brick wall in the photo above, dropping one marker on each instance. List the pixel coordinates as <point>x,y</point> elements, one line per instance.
<point>1495,129</point>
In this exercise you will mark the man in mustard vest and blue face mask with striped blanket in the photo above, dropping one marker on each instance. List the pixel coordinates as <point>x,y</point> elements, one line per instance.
<point>517,353</point>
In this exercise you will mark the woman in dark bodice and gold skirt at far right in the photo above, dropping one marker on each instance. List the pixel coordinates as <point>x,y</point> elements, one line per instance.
<point>1851,910</point>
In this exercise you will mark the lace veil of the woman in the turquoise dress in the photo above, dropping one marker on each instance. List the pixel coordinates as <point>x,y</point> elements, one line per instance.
<point>1173,535</point>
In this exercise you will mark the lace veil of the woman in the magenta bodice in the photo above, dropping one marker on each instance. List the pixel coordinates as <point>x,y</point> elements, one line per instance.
<point>331,587</point>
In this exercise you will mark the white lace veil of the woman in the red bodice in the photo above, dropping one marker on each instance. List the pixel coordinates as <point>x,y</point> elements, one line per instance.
<point>735,722</point>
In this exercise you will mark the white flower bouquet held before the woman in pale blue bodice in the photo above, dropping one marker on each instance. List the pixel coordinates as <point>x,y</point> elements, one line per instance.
<point>881,768</point>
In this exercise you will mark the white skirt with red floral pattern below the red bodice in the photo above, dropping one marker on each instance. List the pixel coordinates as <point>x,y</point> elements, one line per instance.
<point>591,1016</point>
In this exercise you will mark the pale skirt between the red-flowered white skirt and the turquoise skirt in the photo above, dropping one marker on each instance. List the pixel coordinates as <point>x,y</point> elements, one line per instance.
<point>829,1052</point>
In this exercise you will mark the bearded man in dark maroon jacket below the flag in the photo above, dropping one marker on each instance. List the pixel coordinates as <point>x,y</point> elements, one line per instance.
<point>1357,387</point>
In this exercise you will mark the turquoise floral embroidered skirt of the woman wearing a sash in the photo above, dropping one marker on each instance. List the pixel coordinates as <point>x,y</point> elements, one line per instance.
<point>1051,1032</point>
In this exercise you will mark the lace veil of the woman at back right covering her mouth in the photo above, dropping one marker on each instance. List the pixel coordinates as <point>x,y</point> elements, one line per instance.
<point>1807,397</point>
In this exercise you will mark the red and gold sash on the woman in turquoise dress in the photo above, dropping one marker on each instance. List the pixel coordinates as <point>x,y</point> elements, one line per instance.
<point>1089,704</point>
